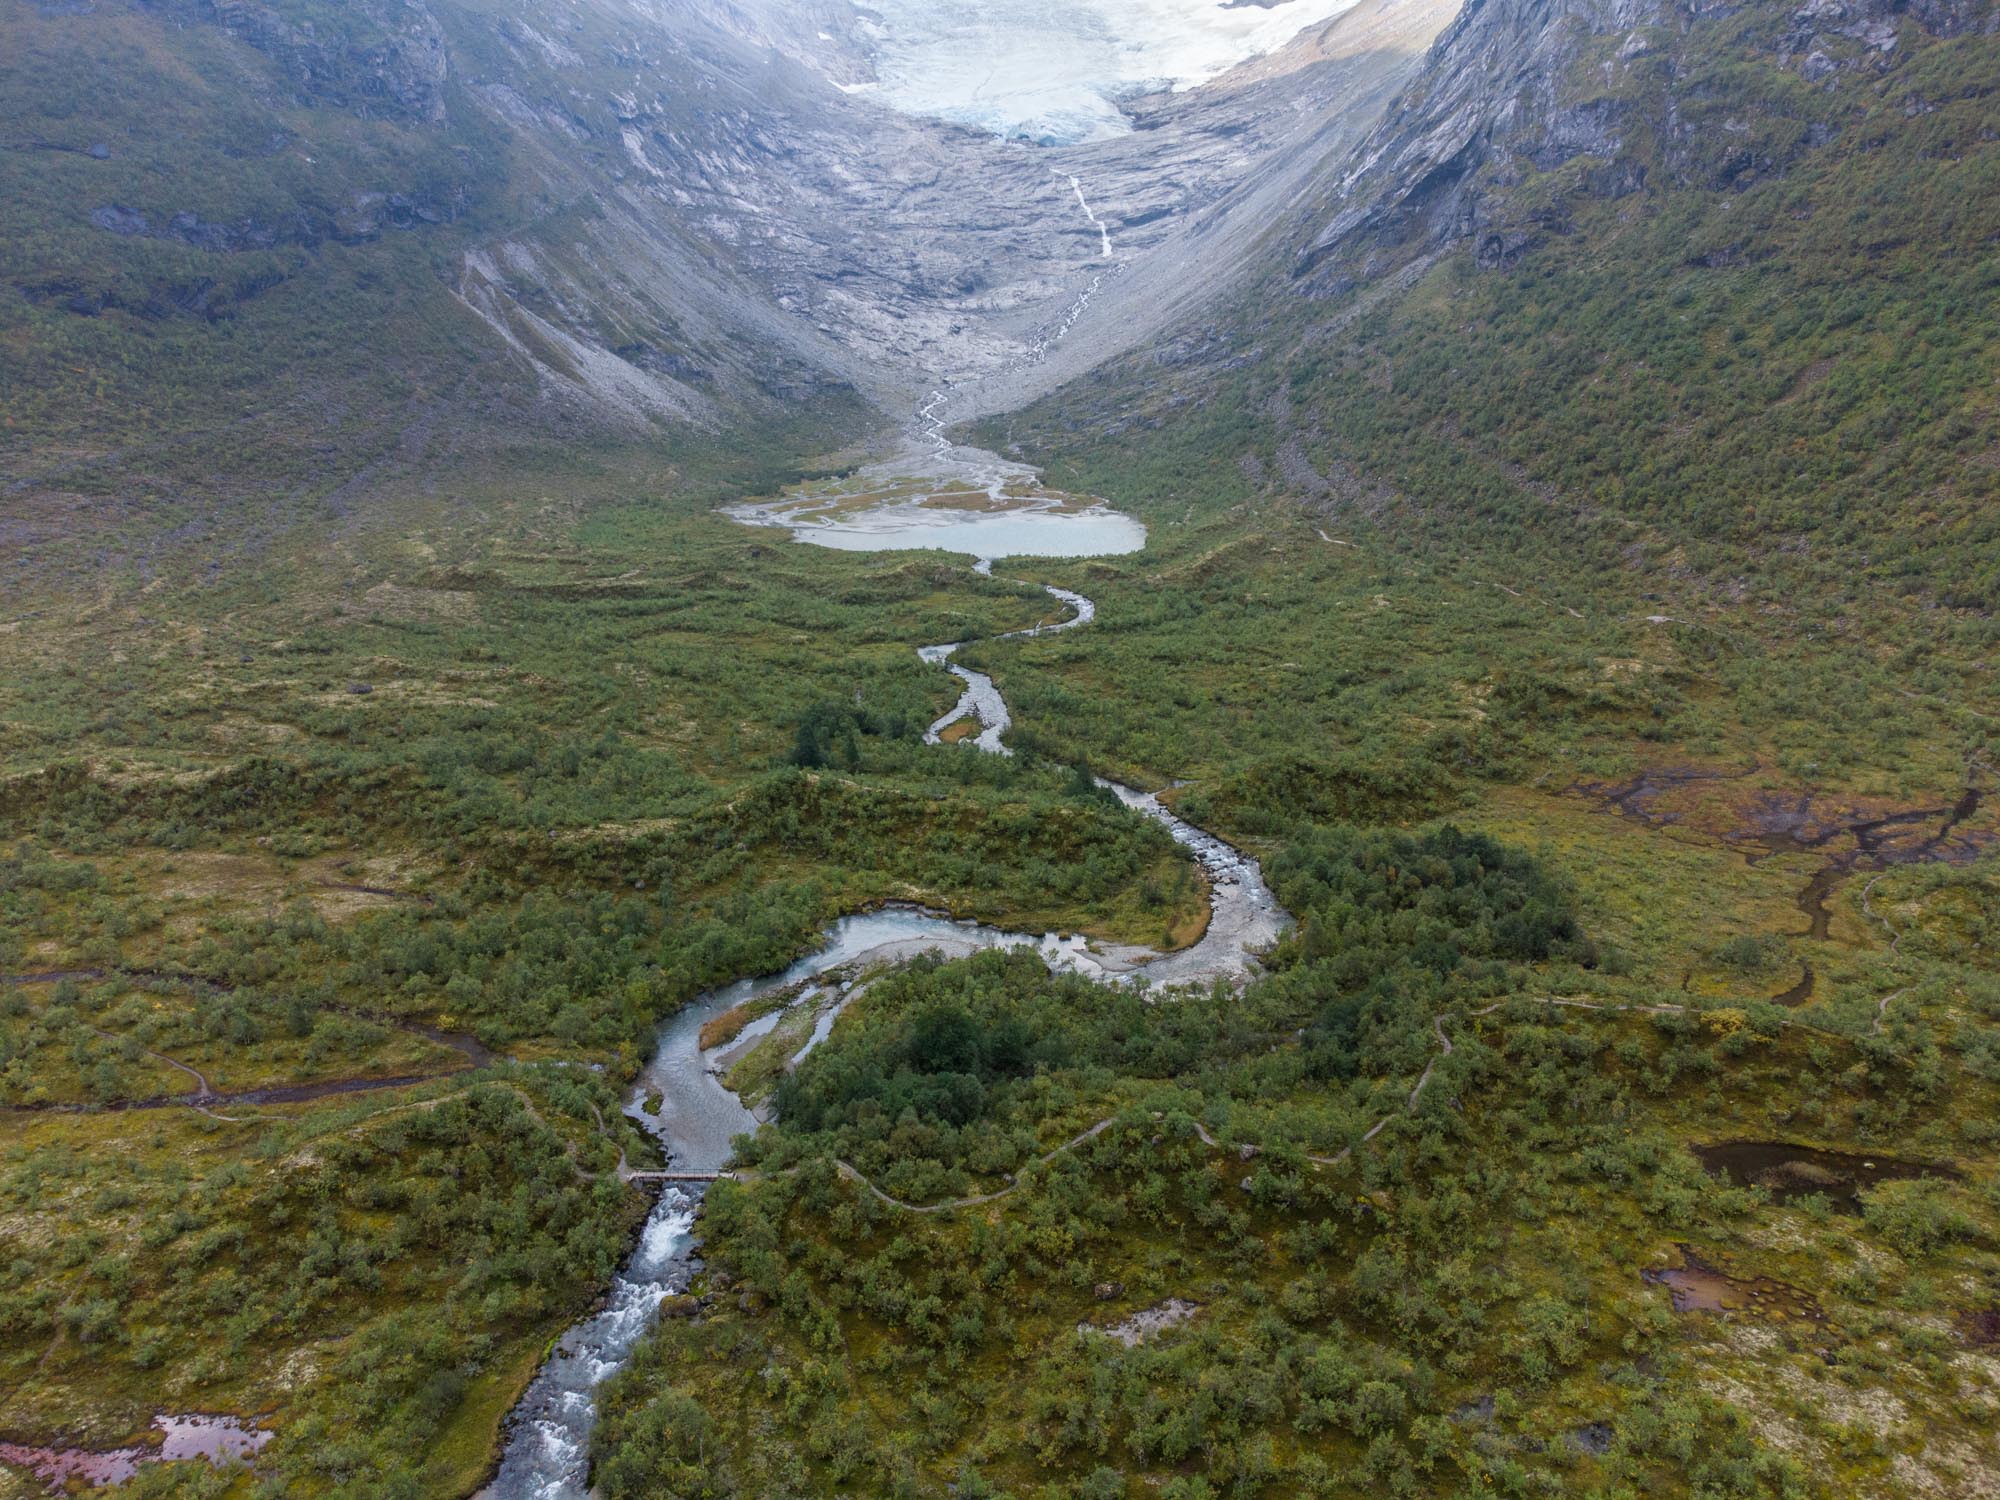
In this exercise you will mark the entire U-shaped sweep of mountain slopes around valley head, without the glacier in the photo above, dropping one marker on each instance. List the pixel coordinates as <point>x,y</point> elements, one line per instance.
<point>275,259</point>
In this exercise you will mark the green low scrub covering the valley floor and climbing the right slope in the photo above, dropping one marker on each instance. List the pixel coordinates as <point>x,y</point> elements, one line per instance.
<point>1559,635</point>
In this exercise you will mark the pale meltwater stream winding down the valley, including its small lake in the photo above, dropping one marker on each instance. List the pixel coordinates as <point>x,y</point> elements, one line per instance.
<point>697,1117</point>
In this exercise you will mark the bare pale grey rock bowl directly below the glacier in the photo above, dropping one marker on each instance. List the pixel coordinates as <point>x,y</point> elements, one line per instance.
<point>749,199</point>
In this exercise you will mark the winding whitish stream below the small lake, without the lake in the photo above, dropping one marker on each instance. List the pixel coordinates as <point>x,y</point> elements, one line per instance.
<point>681,1097</point>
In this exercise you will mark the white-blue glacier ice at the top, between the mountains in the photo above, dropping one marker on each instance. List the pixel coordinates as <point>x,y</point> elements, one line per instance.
<point>1055,71</point>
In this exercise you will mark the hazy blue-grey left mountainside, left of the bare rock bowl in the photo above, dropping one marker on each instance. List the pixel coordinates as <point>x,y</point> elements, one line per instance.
<point>213,193</point>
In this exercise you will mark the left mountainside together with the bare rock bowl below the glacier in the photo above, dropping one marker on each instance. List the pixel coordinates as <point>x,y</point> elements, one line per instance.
<point>281,249</point>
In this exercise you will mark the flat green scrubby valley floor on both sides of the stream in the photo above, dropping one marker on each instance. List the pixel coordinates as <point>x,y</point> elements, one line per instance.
<point>339,919</point>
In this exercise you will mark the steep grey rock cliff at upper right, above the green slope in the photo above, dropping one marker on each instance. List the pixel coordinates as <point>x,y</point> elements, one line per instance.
<point>1529,107</point>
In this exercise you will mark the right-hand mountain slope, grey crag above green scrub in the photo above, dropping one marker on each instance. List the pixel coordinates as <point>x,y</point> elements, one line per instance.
<point>1713,285</point>
